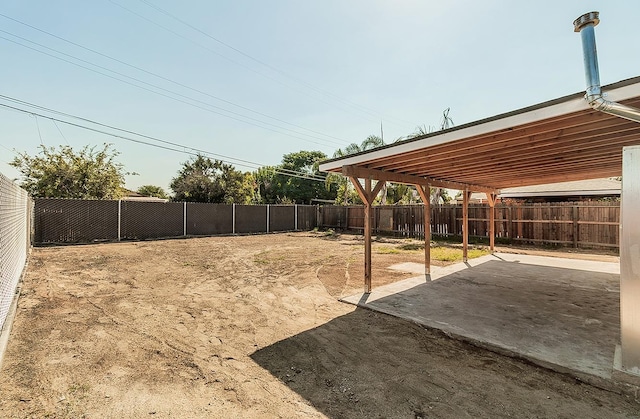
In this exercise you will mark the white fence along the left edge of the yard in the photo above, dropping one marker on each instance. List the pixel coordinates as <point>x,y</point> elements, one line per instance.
<point>16,209</point>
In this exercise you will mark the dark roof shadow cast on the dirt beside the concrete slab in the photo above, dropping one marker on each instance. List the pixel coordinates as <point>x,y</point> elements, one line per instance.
<point>371,365</point>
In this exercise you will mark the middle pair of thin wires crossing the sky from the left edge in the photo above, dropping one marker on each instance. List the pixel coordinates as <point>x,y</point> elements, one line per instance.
<point>162,89</point>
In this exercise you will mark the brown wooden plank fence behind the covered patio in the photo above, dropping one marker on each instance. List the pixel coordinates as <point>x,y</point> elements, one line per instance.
<point>577,224</point>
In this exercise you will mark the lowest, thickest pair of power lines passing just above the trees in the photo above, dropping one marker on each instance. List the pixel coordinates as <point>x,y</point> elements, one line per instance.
<point>163,144</point>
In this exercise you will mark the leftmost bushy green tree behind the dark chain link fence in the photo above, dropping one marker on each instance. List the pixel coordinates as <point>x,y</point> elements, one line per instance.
<point>65,173</point>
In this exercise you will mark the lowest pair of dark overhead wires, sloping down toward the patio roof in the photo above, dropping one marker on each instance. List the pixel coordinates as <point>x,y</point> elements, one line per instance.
<point>166,145</point>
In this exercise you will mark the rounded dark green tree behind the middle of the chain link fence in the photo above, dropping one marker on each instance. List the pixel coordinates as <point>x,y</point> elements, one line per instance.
<point>204,180</point>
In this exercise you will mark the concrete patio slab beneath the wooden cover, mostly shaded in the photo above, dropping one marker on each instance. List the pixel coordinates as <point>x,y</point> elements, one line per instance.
<point>557,312</point>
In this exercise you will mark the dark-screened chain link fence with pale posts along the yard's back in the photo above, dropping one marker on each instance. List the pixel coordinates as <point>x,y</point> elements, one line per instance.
<point>88,221</point>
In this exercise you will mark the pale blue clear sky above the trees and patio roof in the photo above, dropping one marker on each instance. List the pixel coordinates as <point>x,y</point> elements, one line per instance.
<point>296,75</point>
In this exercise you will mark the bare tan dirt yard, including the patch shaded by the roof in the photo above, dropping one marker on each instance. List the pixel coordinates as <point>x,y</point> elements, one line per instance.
<point>251,327</point>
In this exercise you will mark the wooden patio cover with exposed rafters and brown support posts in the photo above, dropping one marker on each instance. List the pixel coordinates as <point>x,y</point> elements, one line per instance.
<point>556,141</point>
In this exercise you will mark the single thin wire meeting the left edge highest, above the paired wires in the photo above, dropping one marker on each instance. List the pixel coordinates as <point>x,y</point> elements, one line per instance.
<point>163,78</point>
